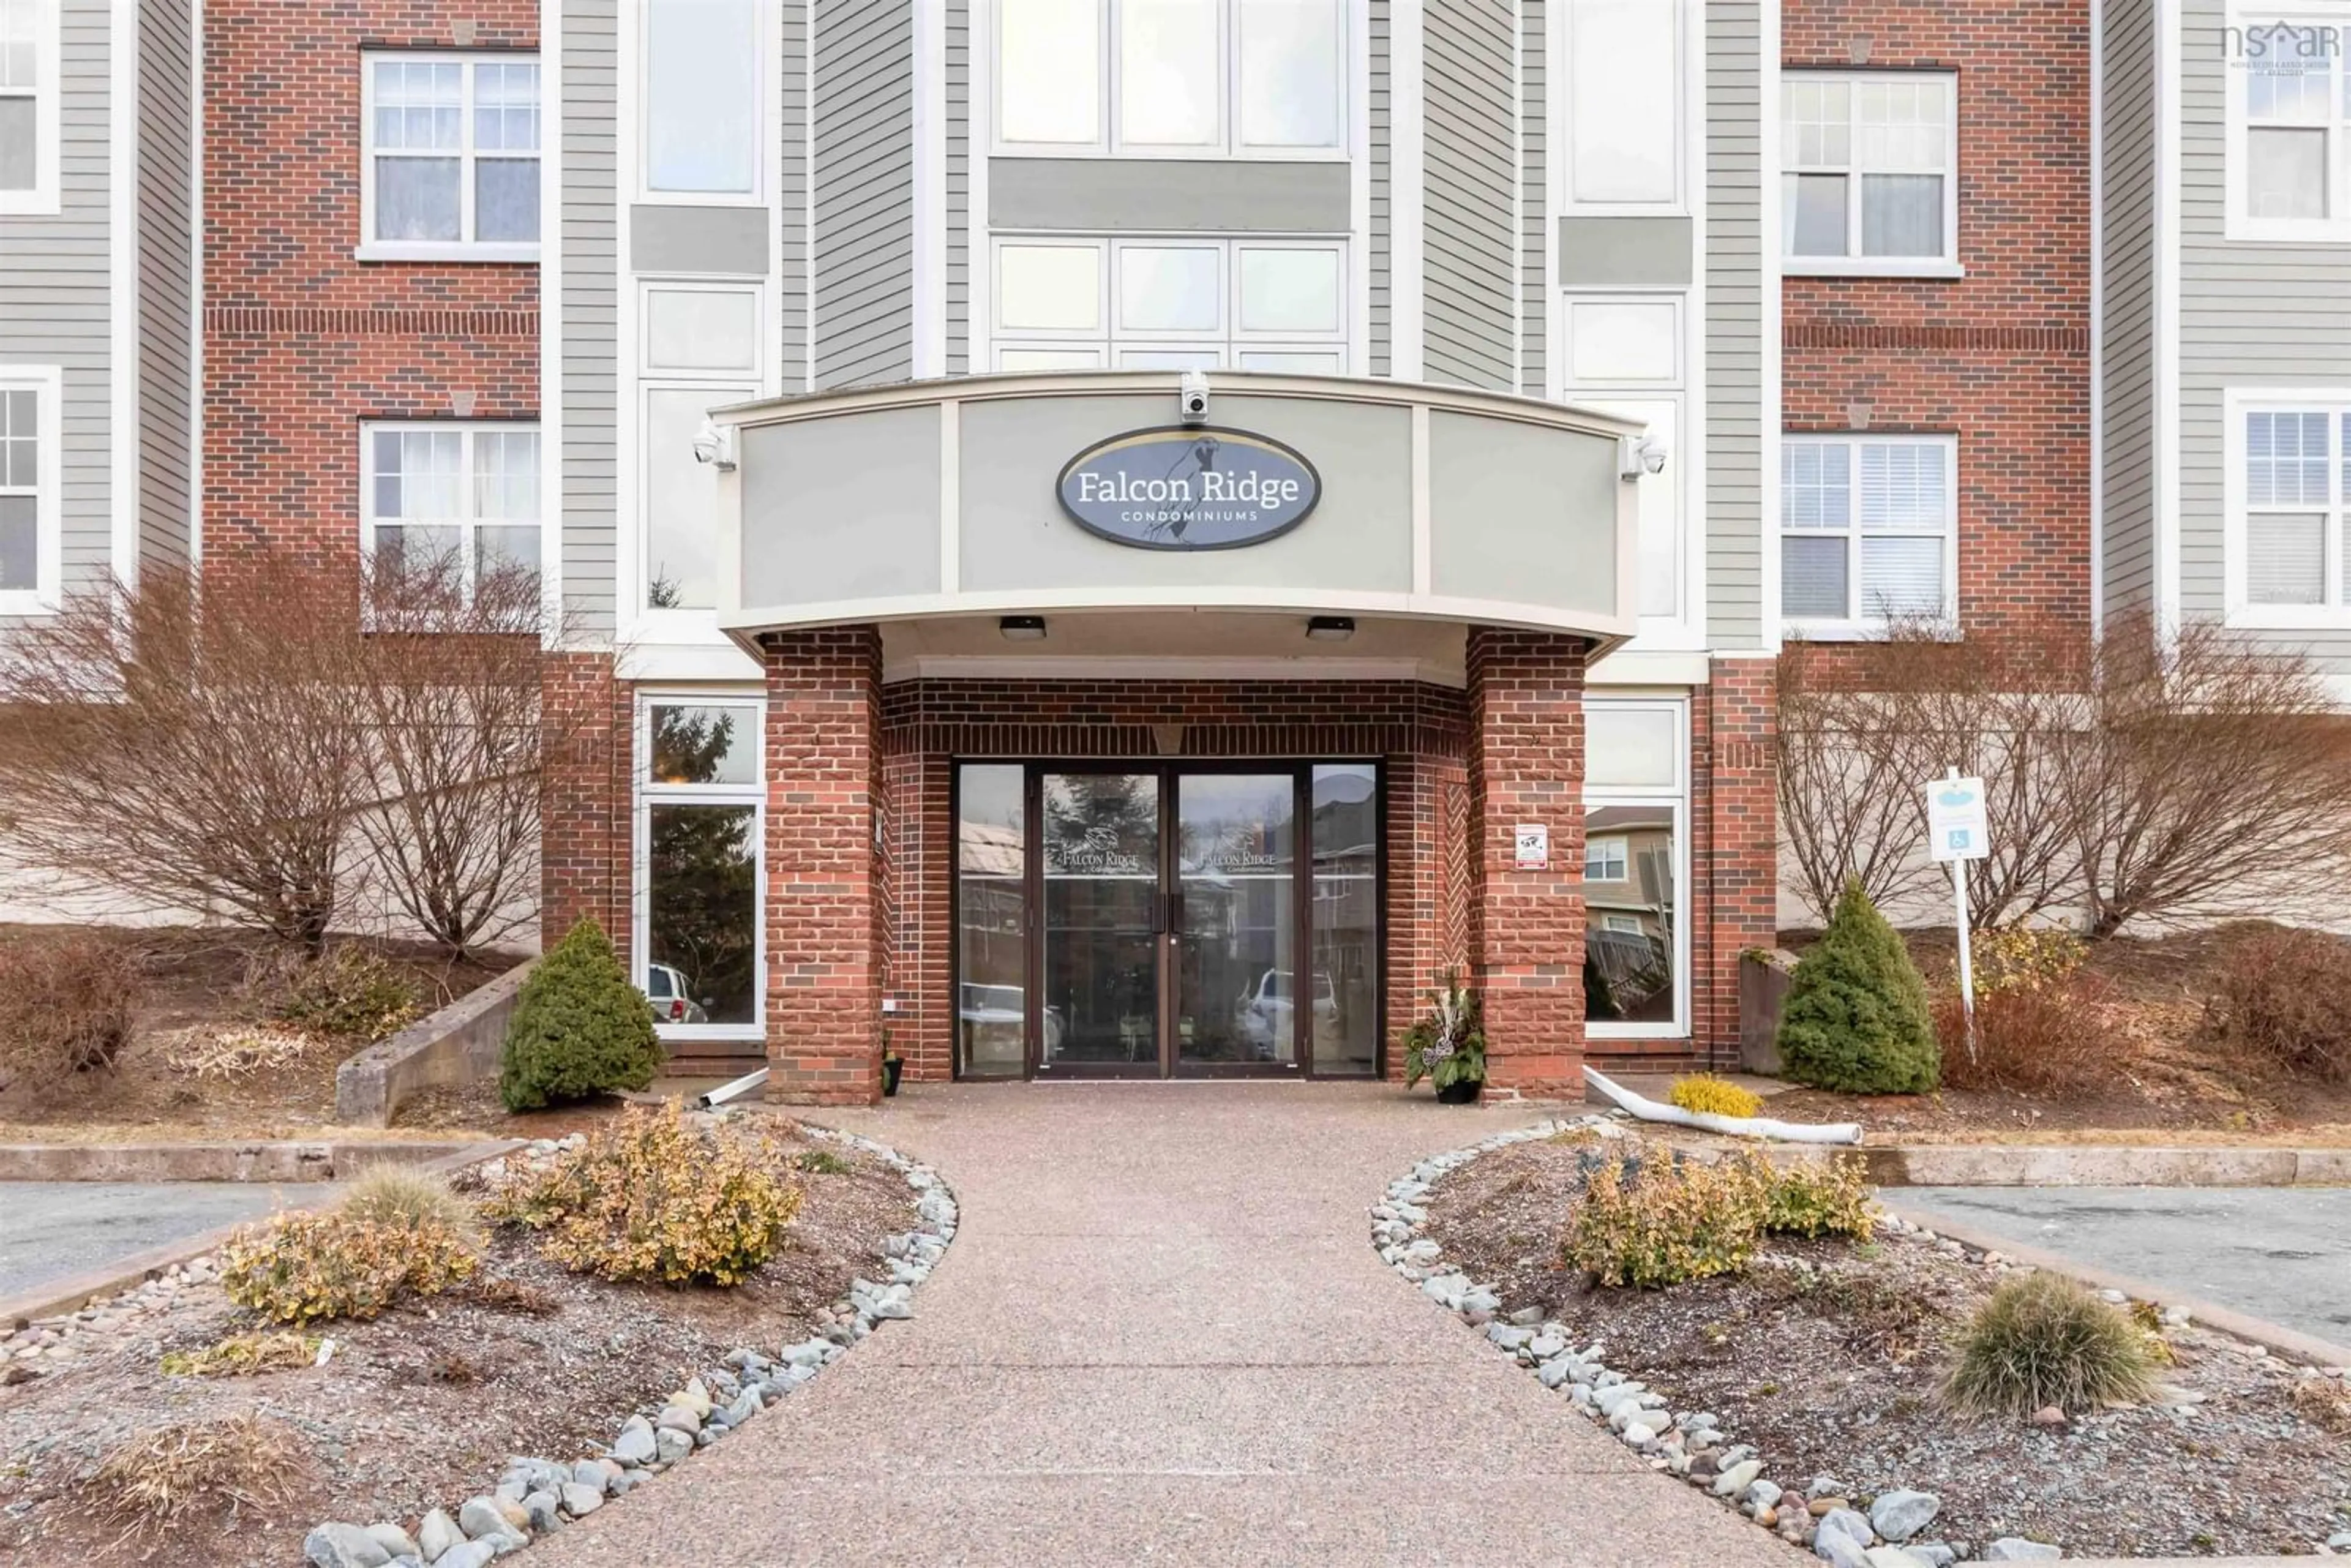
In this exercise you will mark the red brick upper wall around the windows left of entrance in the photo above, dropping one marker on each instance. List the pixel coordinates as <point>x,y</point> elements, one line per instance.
<point>302,342</point>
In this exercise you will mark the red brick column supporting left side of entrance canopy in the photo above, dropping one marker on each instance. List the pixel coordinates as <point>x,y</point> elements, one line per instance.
<point>824,878</point>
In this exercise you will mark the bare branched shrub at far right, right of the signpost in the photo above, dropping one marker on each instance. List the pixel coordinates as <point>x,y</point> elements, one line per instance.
<point>2206,782</point>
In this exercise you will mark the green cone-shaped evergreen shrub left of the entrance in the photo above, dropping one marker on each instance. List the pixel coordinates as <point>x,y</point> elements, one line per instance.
<point>580,1028</point>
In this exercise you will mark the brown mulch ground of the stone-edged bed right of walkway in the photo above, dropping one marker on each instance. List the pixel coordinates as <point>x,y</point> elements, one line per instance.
<point>1828,1358</point>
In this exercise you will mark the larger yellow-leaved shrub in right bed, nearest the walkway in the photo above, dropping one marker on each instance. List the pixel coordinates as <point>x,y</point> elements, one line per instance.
<point>1666,1224</point>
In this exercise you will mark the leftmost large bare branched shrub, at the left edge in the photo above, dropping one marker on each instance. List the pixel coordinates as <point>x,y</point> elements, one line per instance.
<point>192,749</point>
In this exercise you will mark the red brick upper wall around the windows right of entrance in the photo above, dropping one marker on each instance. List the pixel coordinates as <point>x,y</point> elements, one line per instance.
<point>2002,356</point>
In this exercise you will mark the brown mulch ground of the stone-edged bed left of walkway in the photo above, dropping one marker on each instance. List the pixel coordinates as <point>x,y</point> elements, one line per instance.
<point>422,1407</point>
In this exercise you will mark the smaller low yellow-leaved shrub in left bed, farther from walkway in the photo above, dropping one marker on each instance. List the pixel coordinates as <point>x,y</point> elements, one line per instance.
<point>302,1268</point>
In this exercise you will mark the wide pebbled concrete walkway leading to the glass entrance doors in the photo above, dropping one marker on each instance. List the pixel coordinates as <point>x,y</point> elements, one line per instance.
<point>1163,1334</point>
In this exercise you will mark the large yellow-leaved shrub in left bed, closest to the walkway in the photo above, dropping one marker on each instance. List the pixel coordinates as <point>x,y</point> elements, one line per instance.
<point>657,1198</point>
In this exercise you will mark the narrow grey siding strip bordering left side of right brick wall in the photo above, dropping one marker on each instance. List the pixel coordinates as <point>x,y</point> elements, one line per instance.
<point>1734,504</point>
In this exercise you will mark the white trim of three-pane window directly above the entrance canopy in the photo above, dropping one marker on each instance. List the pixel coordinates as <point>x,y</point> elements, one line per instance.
<point>1228,337</point>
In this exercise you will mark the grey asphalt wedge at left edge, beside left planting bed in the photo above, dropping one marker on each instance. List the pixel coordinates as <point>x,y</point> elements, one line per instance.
<point>51,1231</point>
